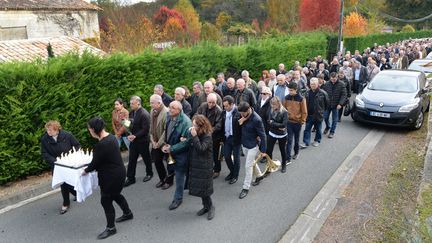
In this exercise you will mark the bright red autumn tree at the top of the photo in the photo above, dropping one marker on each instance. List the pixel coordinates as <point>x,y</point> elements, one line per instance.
<point>315,14</point>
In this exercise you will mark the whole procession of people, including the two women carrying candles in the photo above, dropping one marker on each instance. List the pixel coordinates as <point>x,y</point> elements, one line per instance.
<point>187,136</point>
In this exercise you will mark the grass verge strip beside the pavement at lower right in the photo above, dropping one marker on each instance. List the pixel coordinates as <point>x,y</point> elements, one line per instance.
<point>395,219</point>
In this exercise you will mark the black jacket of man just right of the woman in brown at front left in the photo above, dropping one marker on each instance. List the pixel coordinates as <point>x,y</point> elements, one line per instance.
<point>140,125</point>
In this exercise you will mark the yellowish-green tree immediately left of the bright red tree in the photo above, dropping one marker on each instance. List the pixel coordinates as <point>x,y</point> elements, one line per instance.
<point>283,14</point>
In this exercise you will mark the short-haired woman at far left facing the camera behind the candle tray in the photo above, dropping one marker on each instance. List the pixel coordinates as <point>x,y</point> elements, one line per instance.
<point>53,143</point>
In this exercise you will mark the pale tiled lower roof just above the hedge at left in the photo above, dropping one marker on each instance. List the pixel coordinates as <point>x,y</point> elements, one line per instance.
<point>30,50</point>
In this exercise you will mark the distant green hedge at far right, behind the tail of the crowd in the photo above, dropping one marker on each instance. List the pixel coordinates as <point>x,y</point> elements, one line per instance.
<point>362,42</point>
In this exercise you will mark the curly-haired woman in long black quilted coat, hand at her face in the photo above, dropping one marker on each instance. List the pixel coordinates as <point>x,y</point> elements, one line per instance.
<point>201,164</point>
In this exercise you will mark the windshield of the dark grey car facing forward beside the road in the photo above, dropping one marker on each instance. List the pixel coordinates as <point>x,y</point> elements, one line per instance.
<point>393,83</point>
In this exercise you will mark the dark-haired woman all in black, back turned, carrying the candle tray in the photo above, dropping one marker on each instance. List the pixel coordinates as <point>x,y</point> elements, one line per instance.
<point>108,163</point>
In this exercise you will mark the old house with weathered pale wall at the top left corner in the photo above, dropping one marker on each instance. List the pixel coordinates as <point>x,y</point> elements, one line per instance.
<point>29,19</point>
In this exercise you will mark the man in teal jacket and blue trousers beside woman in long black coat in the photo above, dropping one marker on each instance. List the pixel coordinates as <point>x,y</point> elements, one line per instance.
<point>177,145</point>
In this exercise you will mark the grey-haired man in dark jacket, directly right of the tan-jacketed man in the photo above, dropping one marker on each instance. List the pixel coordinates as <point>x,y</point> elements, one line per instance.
<point>317,103</point>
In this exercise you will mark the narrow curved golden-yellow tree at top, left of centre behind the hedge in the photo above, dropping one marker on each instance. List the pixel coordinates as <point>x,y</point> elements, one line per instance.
<point>185,8</point>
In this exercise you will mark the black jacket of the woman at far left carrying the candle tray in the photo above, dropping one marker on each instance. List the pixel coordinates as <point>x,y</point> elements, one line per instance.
<point>52,149</point>
